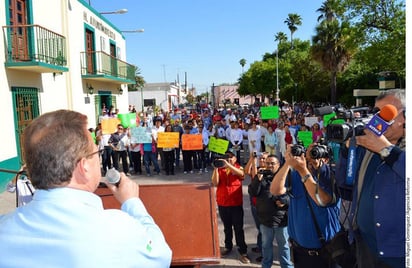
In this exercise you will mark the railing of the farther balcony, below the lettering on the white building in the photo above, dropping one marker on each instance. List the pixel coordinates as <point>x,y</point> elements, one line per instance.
<point>102,66</point>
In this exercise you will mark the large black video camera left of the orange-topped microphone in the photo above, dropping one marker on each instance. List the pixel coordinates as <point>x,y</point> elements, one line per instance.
<point>353,125</point>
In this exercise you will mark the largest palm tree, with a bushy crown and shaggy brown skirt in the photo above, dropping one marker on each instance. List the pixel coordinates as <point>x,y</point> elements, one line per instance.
<point>333,48</point>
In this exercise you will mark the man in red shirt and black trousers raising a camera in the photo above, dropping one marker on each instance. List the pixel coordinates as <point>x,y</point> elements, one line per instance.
<point>228,180</point>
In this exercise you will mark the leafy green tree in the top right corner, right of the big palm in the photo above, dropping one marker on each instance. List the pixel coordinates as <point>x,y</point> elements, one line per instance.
<point>381,31</point>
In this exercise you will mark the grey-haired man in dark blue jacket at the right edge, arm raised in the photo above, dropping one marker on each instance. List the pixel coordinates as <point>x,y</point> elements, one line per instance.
<point>378,200</point>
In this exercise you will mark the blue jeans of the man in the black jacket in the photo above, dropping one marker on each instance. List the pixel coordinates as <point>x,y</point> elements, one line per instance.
<point>281,235</point>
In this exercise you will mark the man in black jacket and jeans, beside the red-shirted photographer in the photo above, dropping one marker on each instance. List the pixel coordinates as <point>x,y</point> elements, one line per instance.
<point>272,214</point>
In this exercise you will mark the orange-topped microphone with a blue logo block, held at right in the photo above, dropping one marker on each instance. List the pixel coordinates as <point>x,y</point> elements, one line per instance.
<point>382,119</point>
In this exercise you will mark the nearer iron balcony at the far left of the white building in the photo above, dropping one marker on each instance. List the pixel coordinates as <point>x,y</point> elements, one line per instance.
<point>34,48</point>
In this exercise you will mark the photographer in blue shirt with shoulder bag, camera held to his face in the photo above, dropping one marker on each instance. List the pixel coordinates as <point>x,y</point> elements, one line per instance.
<point>309,185</point>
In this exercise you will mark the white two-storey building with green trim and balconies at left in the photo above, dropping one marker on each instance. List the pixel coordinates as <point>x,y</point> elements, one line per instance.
<point>56,54</point>
